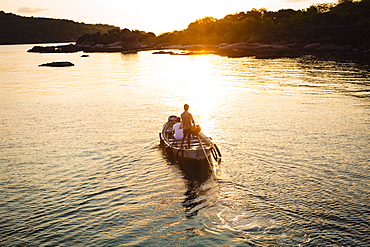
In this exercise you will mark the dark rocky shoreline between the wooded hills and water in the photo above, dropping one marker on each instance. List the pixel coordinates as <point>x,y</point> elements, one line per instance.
<point>234,50</point>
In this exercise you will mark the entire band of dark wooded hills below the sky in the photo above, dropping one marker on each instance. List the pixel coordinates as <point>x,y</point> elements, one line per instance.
<point>346,22</point>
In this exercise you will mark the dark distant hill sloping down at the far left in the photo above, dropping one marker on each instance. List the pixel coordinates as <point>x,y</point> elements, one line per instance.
<point>15,29</point>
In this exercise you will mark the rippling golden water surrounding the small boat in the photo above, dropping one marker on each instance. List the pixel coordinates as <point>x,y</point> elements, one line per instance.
<point>80,163</point>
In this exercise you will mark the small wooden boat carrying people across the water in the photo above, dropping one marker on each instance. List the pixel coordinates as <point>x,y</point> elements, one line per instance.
<point>201,146</point>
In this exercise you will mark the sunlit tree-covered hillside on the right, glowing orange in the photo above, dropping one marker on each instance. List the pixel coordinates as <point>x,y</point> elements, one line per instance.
<point>346,22</point>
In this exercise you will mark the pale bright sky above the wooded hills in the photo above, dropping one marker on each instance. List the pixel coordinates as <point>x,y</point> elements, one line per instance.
<point>156,16</point>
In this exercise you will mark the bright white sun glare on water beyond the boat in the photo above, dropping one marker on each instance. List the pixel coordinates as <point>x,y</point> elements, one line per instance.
<point>198,85</point>
